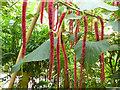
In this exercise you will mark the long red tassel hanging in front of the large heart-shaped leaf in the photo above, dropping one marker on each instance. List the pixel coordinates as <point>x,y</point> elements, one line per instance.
<point>83,49</point>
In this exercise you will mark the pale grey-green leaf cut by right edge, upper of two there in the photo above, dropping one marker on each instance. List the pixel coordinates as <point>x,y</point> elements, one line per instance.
<point>115,25</point>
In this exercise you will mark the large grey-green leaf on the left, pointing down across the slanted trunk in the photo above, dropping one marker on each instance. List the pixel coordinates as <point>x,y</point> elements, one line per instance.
<point>39,54</point>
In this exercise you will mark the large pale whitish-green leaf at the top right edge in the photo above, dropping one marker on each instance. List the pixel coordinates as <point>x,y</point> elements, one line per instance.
<point>92,4</point>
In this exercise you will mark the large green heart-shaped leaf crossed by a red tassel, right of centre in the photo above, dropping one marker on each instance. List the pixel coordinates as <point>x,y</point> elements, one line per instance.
<point>93,51</point>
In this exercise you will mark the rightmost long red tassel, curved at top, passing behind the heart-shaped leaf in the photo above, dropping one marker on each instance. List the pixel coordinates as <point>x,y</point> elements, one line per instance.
<point>102,59</point>
